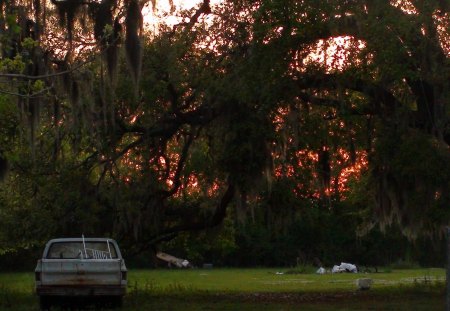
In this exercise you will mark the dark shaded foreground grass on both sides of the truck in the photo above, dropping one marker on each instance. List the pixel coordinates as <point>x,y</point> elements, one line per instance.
<point>421,295</point>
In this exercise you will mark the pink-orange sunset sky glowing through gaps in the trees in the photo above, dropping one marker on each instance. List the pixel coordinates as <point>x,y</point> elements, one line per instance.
<point>334,54</point>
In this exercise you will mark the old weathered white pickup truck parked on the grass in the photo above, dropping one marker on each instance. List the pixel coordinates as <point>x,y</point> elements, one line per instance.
<point>81,269</point>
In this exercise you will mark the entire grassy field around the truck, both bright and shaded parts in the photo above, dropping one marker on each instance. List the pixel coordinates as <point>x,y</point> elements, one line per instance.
<point>253,289</point>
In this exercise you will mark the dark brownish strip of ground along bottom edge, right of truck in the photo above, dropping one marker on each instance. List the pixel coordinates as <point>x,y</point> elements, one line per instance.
<point>357,300</point>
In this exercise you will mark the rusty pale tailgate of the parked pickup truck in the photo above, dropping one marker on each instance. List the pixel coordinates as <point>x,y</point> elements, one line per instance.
<point>81,272</point>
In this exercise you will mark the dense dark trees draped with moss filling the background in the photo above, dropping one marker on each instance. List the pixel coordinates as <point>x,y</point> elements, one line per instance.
<point>285,129</point>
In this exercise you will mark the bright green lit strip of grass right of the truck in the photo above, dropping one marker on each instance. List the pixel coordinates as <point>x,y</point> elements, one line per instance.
<point>268,280</point>
